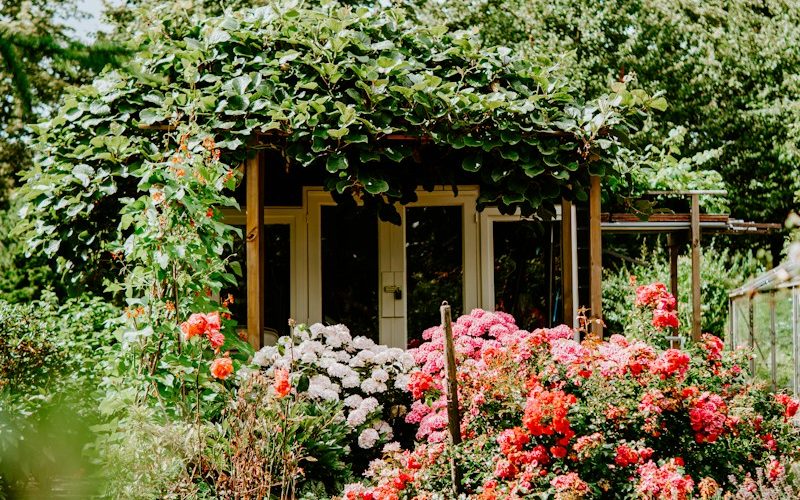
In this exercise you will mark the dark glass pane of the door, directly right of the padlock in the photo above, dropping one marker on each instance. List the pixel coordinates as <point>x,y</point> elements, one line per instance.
<point>434,265</point>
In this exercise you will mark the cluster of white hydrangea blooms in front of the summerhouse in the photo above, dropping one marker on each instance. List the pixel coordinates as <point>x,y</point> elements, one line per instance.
<point>364,375</point>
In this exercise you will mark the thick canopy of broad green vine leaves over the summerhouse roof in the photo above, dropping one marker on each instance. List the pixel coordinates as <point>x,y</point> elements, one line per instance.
<point>330,87</point>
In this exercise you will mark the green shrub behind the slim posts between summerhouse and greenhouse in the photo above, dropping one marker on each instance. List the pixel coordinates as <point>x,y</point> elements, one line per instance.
<point>721,272</point>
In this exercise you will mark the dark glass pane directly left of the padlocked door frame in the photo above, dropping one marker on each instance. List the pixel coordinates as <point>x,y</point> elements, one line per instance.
<point>350,269</point>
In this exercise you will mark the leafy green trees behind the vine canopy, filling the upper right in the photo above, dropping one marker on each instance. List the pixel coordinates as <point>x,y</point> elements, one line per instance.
<point>729,69</point>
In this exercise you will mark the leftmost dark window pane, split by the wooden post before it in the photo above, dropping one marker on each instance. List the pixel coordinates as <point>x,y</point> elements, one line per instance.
<point>277,281</point>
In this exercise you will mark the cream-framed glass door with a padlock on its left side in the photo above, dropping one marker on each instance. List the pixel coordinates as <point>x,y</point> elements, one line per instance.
<point>431,257</point>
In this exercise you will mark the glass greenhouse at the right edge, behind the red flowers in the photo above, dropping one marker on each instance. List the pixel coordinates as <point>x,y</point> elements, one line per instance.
<point>765,316</point>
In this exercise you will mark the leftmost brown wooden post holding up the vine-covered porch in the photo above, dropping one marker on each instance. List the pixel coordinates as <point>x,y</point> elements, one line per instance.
<point>255,250</point>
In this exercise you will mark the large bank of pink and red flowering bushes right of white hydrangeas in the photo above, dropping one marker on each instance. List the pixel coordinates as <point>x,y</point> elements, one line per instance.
<point>545,413</point>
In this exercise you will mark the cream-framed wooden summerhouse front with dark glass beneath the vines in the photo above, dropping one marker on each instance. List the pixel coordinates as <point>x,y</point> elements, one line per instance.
<point>312,259</point>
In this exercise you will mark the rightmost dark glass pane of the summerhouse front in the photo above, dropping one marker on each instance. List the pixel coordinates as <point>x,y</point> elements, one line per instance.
<point>527,272</point>
